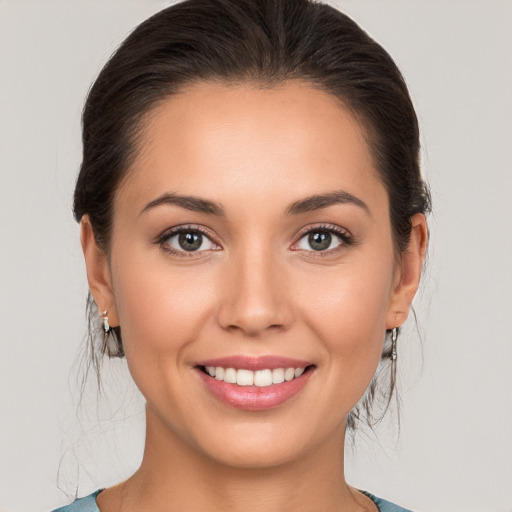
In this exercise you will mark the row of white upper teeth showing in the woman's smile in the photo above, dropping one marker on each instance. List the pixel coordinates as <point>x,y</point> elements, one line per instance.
<point>260,378</point>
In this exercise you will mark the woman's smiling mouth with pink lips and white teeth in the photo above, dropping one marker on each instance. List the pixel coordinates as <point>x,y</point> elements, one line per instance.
<point>254,384</point>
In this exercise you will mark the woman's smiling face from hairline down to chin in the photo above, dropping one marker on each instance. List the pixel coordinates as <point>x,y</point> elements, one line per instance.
<point>252,236</point>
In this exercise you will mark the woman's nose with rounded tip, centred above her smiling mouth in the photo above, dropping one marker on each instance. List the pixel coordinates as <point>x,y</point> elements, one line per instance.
<point>254,298</point>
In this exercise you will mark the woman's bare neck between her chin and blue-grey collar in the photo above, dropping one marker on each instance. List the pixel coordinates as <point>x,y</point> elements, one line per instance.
<point>176,476</point>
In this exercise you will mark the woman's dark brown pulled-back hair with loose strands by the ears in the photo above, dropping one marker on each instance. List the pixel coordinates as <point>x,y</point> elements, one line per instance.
<point>262,43</point>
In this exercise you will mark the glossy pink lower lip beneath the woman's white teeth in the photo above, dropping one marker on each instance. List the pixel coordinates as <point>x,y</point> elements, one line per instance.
<point>254,398</point>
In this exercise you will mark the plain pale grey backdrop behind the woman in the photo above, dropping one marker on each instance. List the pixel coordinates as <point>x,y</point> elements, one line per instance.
<point>454,451</point>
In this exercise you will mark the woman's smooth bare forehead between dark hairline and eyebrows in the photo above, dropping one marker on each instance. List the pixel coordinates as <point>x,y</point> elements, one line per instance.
<point>267,143</point>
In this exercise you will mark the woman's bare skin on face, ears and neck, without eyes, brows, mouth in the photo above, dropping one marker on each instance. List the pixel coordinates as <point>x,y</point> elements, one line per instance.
<point>257,289</point>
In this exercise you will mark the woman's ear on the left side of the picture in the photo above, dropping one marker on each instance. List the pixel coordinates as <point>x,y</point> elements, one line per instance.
<point>98,271</point>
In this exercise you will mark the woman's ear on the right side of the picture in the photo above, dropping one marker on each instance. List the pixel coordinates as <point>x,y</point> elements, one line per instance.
<point>408,273</point>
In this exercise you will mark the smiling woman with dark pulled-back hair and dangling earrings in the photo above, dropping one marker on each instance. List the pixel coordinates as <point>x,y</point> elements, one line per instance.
<point>253,225</point>
